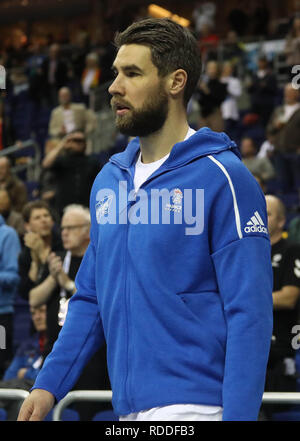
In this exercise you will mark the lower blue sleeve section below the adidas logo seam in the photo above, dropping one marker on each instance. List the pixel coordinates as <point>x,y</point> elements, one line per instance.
<point>244,275</point>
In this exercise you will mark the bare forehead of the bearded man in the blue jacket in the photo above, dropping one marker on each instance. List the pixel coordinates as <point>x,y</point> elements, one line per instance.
<point>133,54</point>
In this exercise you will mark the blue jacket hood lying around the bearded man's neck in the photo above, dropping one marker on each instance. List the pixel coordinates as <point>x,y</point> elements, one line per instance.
<point>204,142</point>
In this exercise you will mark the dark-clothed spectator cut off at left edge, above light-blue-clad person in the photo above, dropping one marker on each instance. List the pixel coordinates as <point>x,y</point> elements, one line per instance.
<point>16,188</point>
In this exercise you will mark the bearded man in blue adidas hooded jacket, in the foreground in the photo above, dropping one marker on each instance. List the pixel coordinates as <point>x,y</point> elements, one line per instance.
<point>179,308</point>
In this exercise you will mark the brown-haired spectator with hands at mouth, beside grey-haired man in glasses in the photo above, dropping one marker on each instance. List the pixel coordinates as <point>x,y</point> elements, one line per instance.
<point>40,239</point>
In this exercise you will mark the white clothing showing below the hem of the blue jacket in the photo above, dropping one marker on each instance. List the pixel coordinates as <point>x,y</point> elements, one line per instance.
<point>177,412</point>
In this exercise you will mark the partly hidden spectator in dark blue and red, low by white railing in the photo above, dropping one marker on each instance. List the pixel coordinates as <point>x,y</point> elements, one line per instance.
<point>26,363</point>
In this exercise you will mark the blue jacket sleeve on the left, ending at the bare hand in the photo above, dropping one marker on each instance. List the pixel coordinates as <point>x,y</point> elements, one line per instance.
<point>80,337</point>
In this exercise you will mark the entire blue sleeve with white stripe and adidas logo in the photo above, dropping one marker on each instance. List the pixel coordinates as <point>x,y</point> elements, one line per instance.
<point>242,261</point>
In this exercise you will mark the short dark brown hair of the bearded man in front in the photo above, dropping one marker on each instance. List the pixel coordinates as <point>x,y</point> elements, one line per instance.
<point>172,47</point>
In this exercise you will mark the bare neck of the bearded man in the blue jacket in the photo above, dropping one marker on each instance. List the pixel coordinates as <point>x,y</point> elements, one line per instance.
<point>159,144</point>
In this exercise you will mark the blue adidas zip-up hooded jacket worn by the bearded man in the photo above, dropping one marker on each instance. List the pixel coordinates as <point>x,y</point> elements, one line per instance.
<point>185,308</point>
